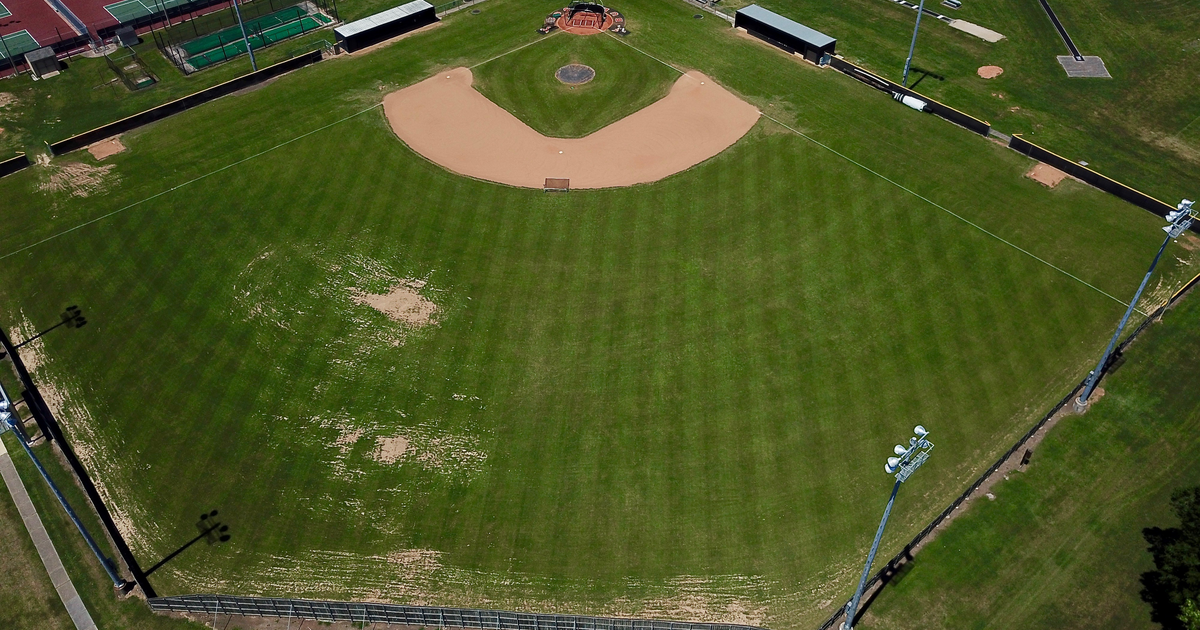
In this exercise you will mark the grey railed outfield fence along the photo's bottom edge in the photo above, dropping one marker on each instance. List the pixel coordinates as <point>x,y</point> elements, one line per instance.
<point>422,616</point>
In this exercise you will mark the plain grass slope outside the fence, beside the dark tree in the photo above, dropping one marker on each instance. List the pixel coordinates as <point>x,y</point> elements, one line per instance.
<point>1061,547</point>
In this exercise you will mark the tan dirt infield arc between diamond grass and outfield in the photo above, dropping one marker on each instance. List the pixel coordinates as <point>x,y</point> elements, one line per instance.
<point>446,121</point>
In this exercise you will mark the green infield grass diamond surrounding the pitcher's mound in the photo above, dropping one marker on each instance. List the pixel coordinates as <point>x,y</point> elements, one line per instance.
<point>524,83</point>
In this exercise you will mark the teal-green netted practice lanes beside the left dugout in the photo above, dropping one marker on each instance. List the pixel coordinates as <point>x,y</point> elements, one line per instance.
<point>261,32</point>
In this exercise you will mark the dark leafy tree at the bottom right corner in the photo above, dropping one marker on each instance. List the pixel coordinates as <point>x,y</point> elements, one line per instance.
<point>1173,590</point>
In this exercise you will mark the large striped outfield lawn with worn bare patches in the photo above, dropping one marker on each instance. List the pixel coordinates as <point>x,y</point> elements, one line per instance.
<point>669,400</point>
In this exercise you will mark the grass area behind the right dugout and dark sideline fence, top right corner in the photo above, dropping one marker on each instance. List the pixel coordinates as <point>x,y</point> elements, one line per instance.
<point>1138,128</point>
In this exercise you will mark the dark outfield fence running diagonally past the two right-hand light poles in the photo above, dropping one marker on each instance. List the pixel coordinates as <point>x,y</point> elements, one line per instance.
<point>890,571</point>
